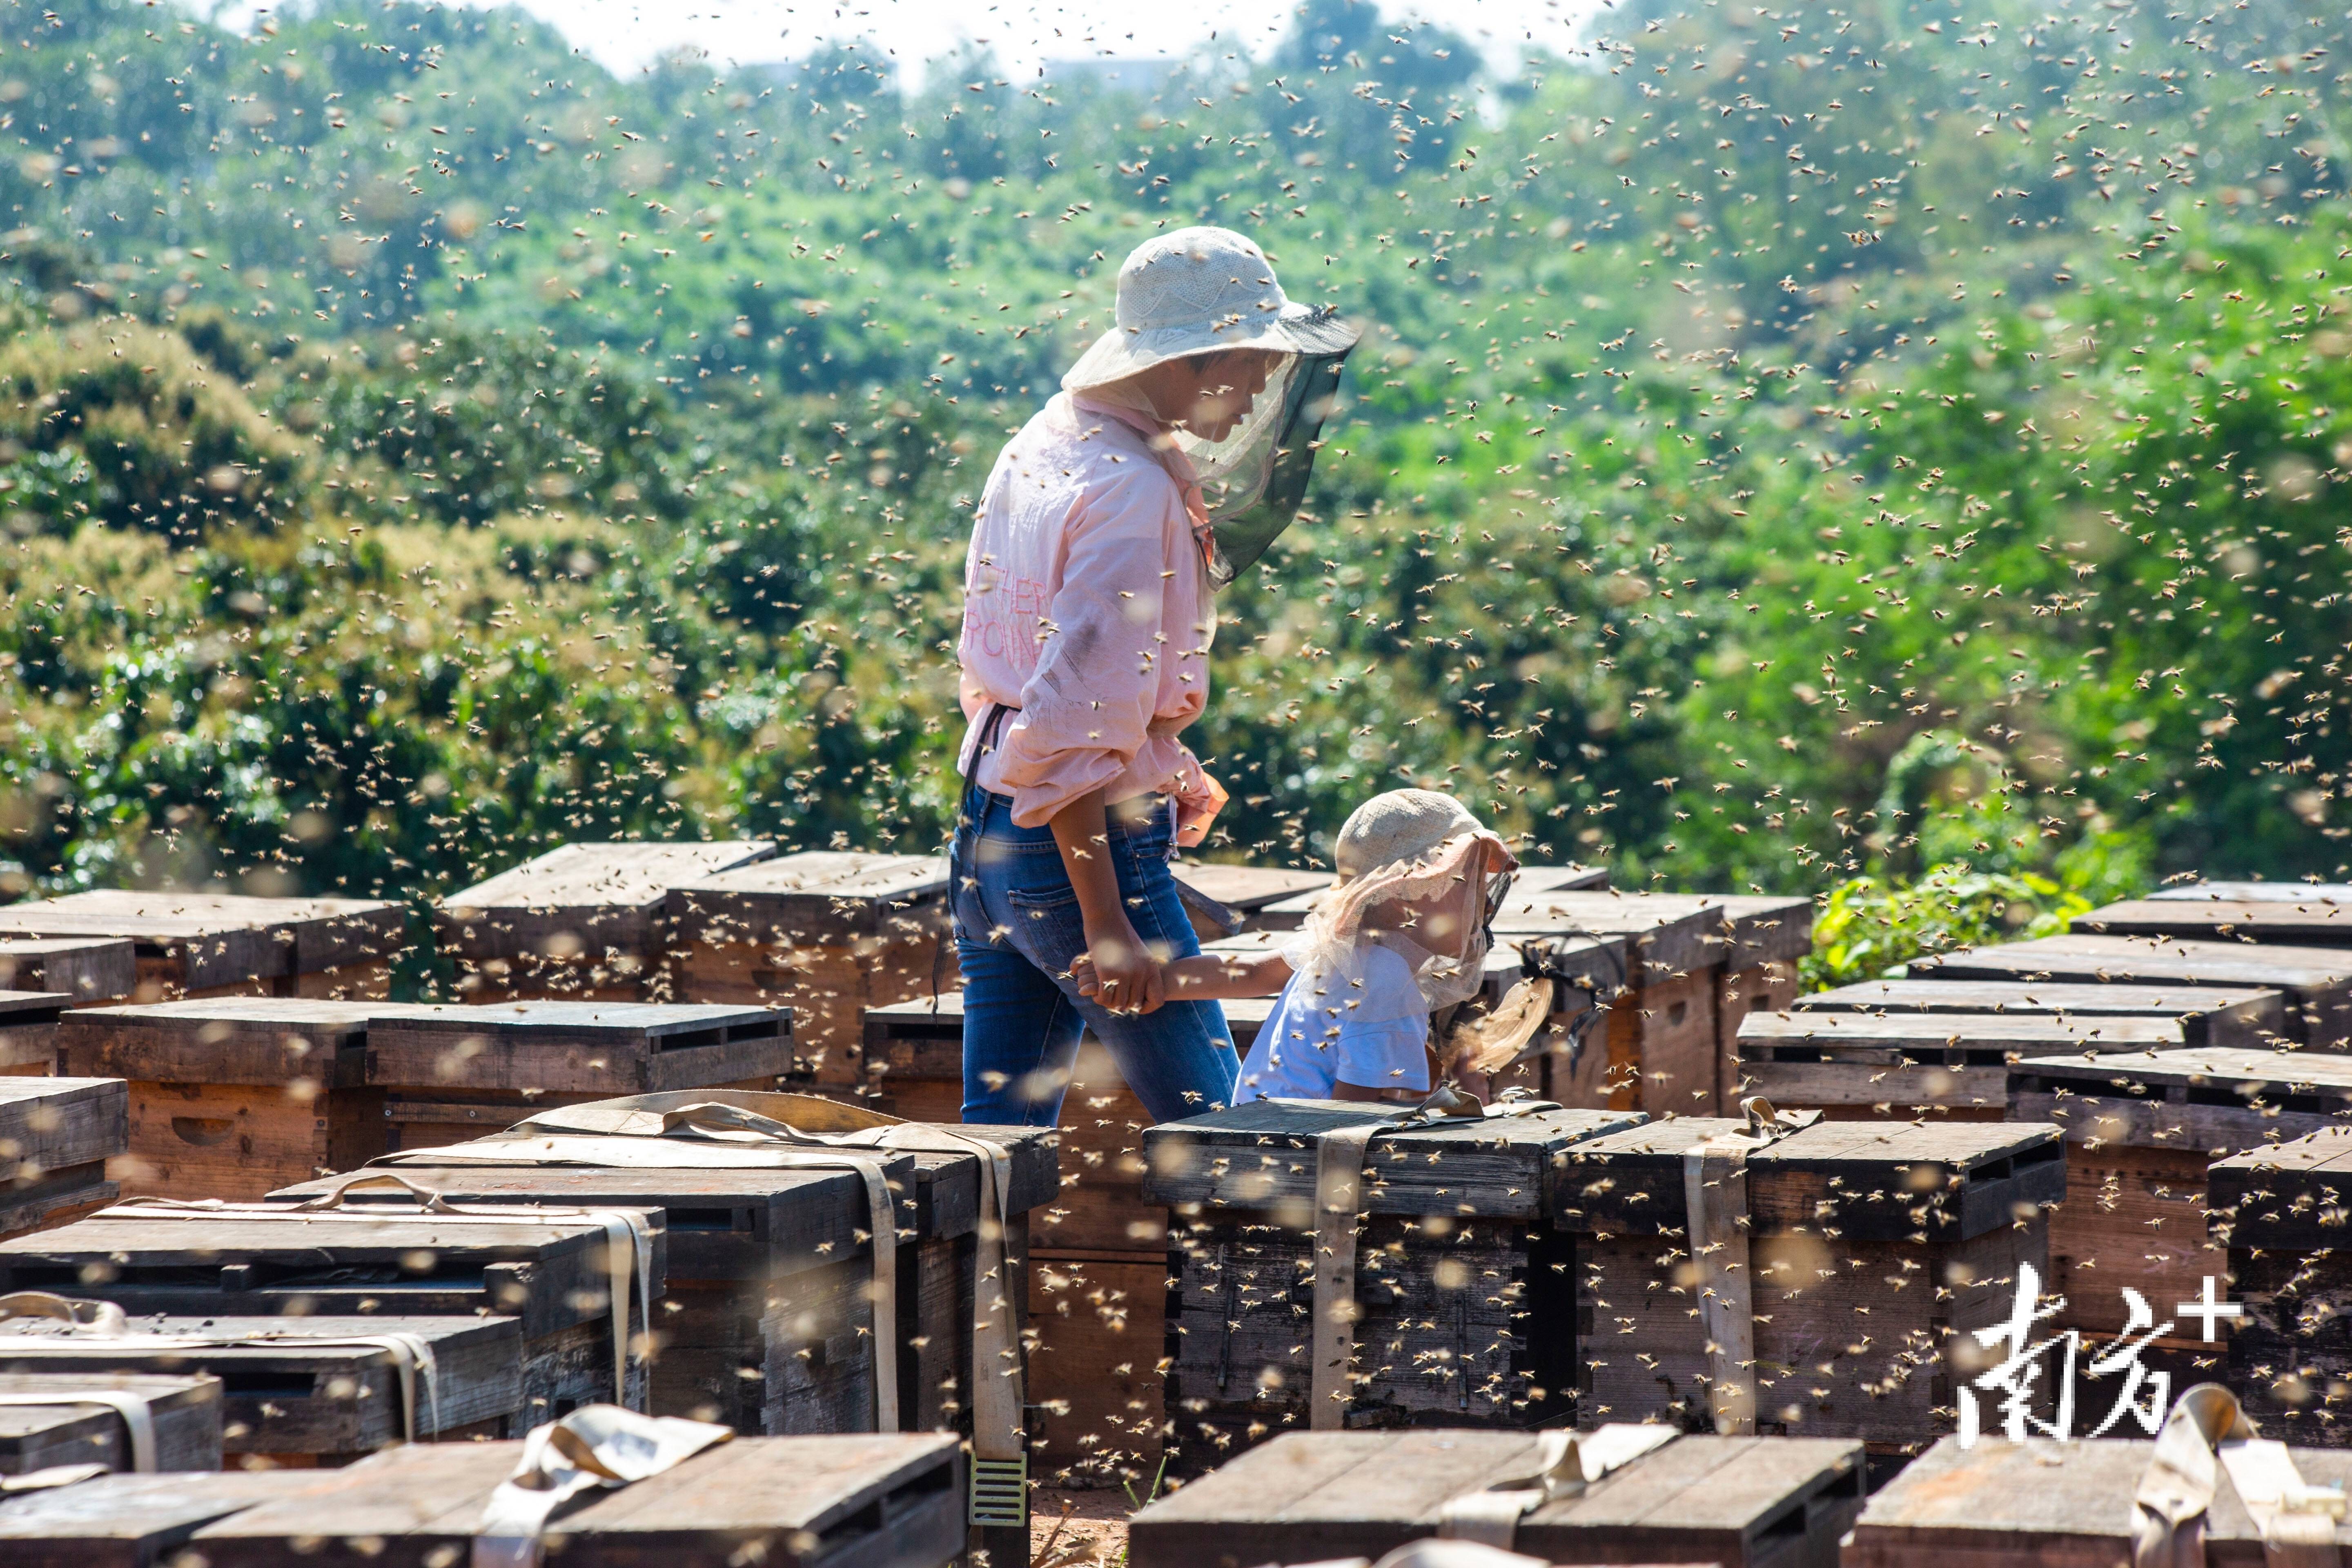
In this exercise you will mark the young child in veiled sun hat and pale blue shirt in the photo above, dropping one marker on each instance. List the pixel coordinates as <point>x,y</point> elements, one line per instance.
<point>1398,937</point>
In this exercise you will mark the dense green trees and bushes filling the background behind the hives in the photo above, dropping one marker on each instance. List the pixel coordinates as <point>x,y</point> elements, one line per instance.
<point>1892,443</point>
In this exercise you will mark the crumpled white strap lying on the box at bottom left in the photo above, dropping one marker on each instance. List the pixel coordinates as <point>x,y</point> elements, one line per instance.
<point>596,1447</point>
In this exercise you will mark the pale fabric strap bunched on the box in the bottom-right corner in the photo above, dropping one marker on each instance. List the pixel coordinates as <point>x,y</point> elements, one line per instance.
<point>2203,1438</point>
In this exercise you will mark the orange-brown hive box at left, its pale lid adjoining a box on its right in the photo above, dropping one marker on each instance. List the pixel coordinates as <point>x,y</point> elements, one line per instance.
<point>234,1097</point>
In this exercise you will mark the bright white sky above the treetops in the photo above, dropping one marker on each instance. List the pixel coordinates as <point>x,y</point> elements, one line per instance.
<point>627,34</point>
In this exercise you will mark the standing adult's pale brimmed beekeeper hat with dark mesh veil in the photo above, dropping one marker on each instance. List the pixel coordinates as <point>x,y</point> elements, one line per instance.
<point>1205,293</point>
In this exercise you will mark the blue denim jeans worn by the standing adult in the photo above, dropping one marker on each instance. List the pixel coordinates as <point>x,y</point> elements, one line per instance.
<point>1017,927</point>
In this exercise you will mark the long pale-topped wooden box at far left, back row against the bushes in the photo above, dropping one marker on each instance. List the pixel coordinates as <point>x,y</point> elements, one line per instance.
<point>227,944</point>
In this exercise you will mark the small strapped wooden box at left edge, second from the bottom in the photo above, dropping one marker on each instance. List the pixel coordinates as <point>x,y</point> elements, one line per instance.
<point>46,1421</point>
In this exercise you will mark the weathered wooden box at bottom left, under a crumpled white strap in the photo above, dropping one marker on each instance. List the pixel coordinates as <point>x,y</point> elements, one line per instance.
<point>780,1503</point>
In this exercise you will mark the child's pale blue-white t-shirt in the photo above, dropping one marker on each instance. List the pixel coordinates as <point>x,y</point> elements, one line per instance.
<point>1363,1024</point>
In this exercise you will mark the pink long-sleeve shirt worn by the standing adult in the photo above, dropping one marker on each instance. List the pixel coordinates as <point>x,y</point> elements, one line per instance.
<point>1088,610</point>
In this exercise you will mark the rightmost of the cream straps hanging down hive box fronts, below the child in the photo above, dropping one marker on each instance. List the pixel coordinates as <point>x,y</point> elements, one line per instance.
<point>1716,1205</point>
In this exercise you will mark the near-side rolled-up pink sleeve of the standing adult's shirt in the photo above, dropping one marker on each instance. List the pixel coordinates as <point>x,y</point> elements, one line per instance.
<point>1104,645</point>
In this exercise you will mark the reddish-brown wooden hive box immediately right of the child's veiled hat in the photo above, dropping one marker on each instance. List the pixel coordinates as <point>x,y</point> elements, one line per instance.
<point>1659,967</point>
